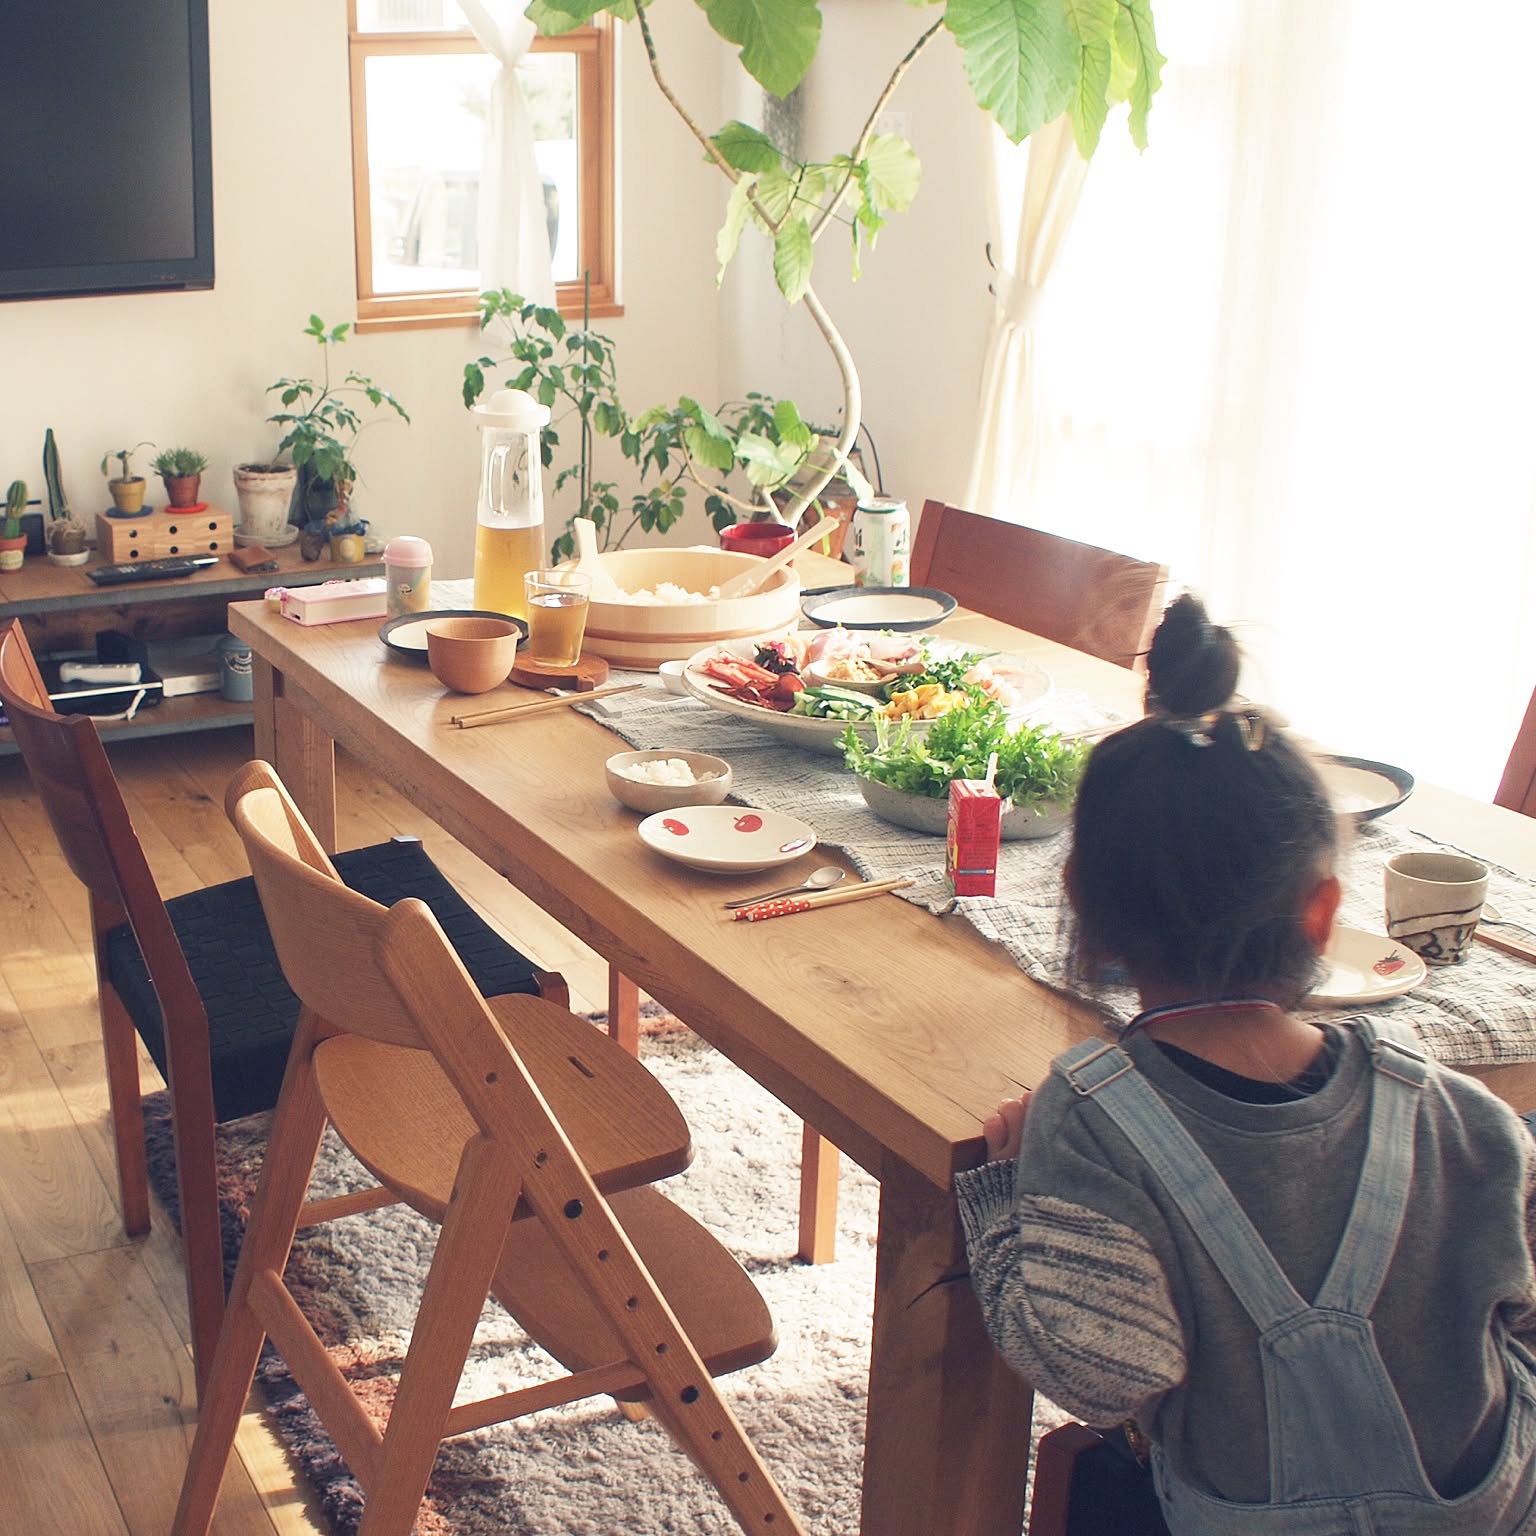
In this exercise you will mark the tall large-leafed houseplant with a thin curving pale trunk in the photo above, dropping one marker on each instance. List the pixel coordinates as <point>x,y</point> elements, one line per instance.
<point>1028,62</point>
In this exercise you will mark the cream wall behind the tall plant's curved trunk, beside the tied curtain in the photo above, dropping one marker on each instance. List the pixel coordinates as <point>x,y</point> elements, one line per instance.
<point>918,319</point>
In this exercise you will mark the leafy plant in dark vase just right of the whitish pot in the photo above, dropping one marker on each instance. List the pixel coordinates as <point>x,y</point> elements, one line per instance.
<point>323,435</point>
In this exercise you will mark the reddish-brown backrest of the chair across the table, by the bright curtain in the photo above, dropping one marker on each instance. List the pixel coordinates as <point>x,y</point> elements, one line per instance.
<point>1093,600</point>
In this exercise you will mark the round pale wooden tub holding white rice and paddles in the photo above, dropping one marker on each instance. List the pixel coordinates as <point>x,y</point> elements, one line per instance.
<point>646,635</point>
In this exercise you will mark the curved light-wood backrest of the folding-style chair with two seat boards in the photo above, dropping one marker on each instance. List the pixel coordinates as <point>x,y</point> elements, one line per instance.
<point>326,935</point>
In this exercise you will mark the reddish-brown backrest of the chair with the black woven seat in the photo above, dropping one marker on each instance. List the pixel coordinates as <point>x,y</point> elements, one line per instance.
<point>74,781</point>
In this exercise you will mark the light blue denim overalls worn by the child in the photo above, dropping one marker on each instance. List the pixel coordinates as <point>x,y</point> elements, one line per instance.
<point>1342,1455</point>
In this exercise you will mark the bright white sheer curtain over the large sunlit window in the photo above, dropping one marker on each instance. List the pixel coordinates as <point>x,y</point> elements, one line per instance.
<point>1291,353</point>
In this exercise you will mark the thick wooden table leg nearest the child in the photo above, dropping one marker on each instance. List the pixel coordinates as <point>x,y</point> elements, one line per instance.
<point>947,1438</point>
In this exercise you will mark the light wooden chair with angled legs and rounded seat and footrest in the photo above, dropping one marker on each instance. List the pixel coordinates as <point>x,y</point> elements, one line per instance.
<point>432,1090</point>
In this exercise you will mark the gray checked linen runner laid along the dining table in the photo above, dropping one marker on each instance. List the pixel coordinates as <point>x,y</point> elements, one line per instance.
<point>1472,1015</point>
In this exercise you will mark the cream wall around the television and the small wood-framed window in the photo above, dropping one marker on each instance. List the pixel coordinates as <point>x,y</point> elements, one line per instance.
<point>193,368</point>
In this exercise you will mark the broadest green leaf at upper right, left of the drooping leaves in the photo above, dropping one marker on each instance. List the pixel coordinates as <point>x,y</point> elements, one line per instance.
<point>1021,58</point>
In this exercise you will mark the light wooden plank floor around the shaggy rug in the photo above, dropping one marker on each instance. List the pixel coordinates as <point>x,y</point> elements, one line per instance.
<point>96,1377</point>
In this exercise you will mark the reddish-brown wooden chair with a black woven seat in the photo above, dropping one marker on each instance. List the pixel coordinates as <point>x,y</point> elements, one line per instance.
<point>197,978</point>
